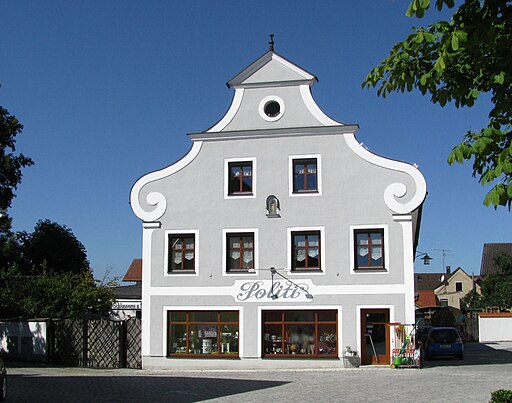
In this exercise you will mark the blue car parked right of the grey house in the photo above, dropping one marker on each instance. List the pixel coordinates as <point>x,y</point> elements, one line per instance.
<point>443,341</point>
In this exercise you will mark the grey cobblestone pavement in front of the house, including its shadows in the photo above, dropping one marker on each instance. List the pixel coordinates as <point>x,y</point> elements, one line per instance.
<point>486,367</point>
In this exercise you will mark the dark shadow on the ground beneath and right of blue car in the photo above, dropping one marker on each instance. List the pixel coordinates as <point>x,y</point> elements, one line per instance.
<point>474,354</point>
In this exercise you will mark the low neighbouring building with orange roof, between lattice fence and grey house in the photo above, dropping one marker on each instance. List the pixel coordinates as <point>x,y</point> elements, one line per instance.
<point>128,302</point>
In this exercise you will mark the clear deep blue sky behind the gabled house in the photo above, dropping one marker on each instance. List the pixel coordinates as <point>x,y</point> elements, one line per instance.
<point>108,90</point>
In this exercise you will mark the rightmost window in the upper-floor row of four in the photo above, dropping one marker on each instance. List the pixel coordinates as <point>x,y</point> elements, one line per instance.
<point>369,249</point>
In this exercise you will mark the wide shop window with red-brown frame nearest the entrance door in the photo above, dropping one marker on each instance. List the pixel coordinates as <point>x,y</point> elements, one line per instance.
<point>304,334</point>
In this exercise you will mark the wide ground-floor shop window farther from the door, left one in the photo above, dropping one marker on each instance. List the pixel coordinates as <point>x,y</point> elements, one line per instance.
<point>203,333</point>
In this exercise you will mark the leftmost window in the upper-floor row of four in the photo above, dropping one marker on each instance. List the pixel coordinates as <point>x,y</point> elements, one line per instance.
<point>182,252</point>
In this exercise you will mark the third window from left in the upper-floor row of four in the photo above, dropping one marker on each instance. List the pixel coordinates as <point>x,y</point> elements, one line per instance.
<point>305,250</point>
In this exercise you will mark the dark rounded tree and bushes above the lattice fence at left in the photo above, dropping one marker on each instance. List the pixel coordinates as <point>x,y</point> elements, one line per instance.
<point>46,274</point>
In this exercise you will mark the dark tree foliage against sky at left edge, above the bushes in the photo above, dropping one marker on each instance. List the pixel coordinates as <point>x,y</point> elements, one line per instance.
<point>10,164</point>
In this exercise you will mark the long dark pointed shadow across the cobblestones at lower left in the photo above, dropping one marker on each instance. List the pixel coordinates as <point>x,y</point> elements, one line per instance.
<point>126,388</point>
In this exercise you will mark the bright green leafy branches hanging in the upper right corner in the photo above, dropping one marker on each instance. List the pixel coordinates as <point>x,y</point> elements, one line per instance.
<point>456,61</point>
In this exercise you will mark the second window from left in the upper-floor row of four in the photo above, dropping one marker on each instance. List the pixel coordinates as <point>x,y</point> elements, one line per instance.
<point>240,252</point>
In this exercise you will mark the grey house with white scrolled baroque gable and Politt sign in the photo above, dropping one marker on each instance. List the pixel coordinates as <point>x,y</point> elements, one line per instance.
<point>292,241</point>
